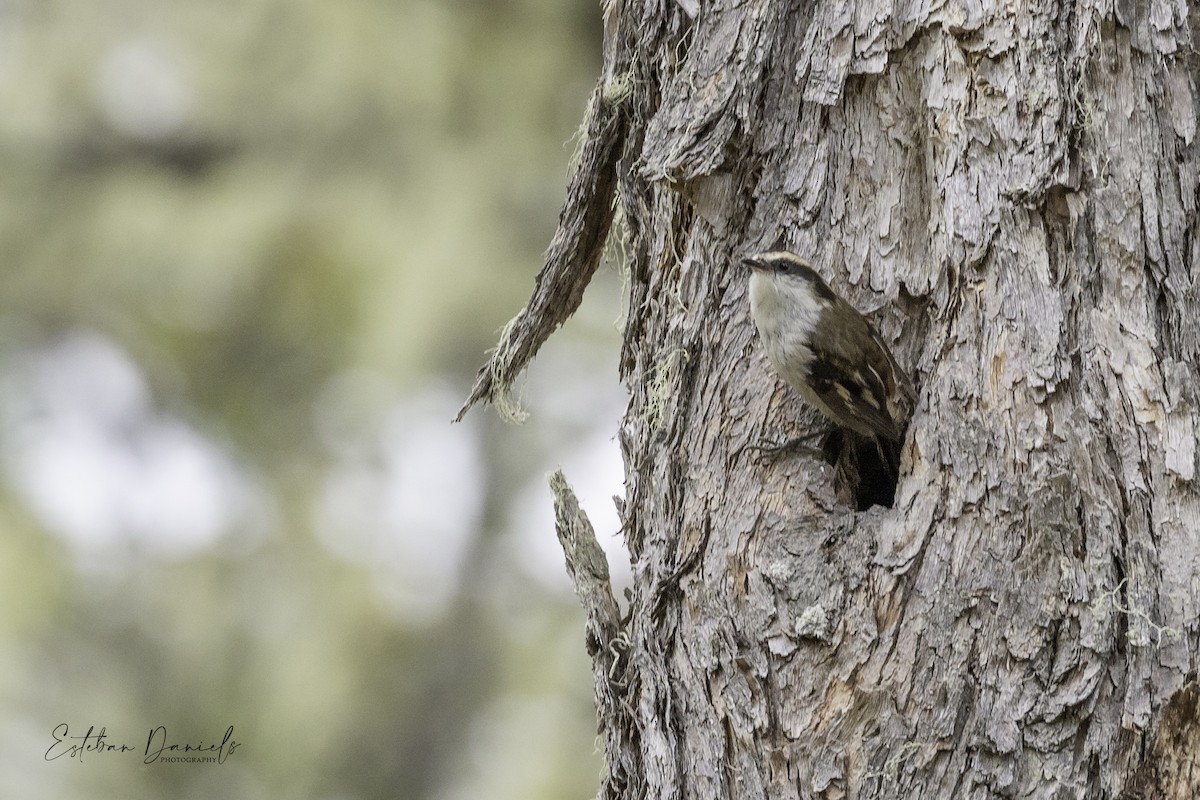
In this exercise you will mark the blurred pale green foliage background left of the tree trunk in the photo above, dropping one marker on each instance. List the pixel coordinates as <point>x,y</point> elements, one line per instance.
<point>265,231</point>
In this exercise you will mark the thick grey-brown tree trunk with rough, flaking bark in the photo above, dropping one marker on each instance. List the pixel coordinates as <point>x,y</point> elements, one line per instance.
<point>1011,191</point>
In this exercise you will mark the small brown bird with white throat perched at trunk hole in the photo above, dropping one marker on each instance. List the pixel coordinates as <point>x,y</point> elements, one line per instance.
<point>827,351</point>
